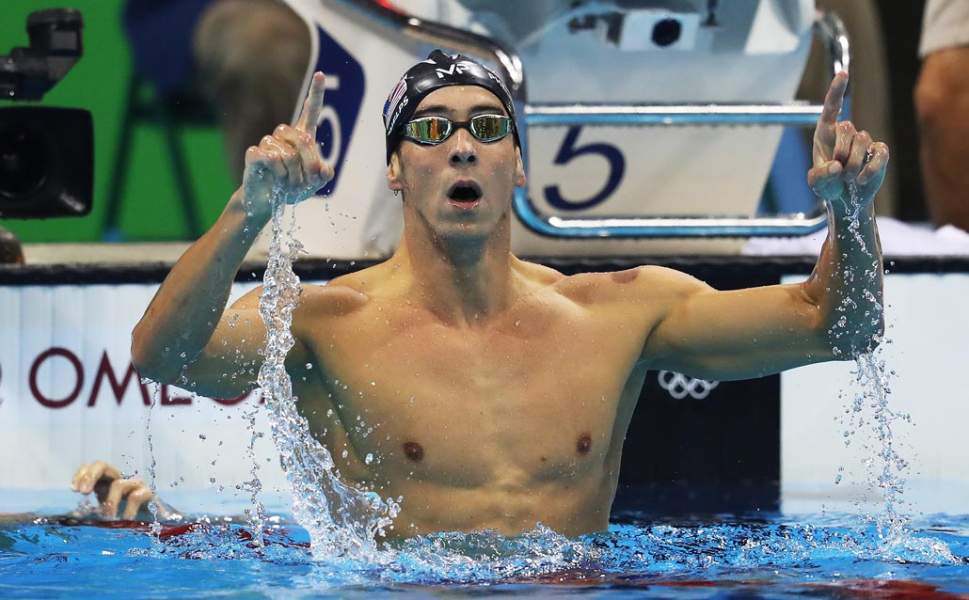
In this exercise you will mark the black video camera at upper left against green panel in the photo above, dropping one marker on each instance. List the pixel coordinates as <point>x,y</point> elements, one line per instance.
<point>46,154</point>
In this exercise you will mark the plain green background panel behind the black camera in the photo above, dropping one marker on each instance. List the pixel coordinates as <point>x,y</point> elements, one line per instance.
<point>98,82</point>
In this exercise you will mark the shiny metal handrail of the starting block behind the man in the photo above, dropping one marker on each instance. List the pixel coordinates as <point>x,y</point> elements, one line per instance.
<point>509,64</point>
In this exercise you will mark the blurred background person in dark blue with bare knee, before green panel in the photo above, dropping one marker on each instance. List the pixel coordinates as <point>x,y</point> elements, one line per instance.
<point>247,57</point>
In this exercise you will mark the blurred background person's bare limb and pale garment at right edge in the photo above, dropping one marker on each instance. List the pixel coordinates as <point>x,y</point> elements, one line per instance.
<point>942,106</point>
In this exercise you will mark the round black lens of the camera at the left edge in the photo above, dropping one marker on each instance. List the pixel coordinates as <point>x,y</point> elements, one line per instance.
<point>22,163</point>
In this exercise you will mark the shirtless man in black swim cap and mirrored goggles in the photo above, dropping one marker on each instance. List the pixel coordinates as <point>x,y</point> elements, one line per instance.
<point>500,390</point>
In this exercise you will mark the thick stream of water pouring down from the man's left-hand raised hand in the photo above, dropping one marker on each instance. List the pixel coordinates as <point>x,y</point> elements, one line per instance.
<point>342,521</point>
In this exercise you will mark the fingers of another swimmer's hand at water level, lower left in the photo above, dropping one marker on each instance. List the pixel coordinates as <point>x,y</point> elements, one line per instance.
<point>114,491</point>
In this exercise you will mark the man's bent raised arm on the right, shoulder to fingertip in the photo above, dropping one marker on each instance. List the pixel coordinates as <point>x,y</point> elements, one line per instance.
<point>835,314</point>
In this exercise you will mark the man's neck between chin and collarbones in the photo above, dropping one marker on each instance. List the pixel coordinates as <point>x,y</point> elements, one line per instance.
<point>462,281</point>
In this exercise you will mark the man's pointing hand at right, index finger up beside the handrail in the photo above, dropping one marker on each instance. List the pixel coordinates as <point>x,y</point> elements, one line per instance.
<point>845,157</point>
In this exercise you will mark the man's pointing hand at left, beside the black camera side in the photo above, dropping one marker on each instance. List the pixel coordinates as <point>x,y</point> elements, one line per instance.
<point>288,161</point>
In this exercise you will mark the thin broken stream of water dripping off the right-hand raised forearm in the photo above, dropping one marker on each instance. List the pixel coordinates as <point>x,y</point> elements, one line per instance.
<point>885,468</point>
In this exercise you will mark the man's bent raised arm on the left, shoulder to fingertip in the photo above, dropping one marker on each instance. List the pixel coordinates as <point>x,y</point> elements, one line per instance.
<point>187,334</point>
